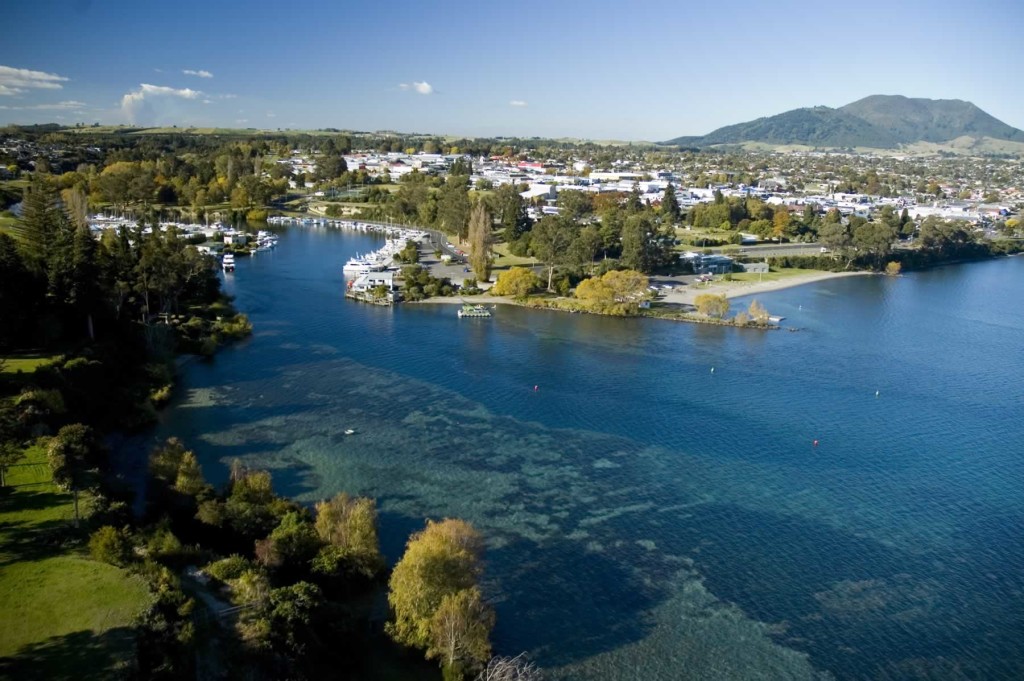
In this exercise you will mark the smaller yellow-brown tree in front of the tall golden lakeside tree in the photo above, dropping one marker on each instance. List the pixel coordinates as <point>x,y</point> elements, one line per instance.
<point>460,631</point>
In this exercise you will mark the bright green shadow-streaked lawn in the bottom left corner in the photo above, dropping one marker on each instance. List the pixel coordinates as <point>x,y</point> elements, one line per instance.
<point>64,616</point>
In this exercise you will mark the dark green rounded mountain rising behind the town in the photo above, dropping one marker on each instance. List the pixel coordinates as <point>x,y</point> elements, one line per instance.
<point>878,121</point>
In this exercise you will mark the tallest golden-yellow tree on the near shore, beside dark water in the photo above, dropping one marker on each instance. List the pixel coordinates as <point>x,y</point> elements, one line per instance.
<point>440,562</point>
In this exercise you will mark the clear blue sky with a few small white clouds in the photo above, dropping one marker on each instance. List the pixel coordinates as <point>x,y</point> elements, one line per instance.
<point>600,70</point>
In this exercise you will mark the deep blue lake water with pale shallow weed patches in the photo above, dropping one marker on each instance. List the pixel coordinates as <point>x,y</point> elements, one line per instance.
<point>648,518</point>
